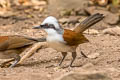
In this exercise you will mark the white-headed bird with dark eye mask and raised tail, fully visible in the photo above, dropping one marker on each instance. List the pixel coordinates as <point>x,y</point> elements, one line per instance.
<point>66,40</point>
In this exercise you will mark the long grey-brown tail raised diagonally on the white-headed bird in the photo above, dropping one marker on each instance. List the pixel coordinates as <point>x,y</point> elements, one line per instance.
<point>88,22</point>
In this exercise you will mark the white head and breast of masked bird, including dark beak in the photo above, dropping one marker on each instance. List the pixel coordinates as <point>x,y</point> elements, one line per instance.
<point>53,29</point>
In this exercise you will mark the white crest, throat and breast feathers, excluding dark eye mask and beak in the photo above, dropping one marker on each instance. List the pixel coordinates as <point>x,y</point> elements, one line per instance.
<point>53,35</point>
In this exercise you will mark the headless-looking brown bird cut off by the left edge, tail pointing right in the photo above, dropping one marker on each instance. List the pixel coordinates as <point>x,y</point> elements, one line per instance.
<point>13,45</point>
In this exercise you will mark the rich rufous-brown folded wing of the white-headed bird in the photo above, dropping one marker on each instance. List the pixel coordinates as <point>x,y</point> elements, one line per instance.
<point>72,38</point>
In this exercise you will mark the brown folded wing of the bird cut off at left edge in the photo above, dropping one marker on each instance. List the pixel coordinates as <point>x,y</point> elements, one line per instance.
<point>12,42</point>
